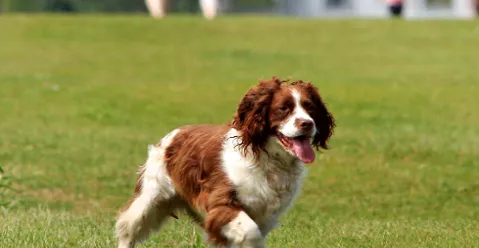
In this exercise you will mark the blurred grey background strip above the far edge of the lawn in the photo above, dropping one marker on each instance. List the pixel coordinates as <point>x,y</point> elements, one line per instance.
<point>306,8</point>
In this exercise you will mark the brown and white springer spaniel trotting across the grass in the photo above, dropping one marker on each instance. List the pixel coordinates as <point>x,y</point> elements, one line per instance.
<point>234,180</point>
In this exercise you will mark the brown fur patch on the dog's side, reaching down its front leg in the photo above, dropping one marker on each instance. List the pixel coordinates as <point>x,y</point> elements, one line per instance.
<point>193,162</point>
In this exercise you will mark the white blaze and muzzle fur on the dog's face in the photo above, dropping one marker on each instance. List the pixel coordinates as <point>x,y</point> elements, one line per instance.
<point>289,128</point>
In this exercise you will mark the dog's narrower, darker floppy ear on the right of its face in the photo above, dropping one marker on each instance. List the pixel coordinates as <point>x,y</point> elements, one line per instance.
<point>325,122</point>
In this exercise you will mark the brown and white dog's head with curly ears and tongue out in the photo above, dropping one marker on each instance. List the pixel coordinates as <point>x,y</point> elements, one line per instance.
<point>293,114</point>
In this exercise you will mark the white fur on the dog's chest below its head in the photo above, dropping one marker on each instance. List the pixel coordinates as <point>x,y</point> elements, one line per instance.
<point>267,186</point>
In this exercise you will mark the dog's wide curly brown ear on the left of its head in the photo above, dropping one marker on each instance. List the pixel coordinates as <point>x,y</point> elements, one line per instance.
<point>251,117</point>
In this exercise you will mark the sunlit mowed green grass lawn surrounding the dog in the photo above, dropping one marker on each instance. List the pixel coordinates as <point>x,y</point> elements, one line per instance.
<point>81,97</point>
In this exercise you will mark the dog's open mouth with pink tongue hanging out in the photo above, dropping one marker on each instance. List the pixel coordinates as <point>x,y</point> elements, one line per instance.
<point>300,146</point>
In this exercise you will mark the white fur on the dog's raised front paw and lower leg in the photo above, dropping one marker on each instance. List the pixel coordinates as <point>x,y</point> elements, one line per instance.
<point>242,231</point>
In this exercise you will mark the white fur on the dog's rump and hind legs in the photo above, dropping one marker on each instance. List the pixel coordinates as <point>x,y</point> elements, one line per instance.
<point>142,216</point>
